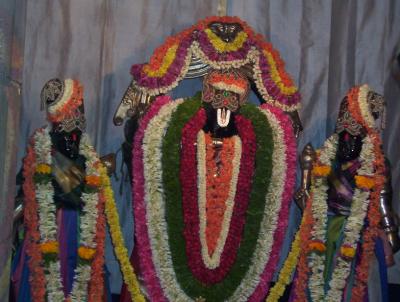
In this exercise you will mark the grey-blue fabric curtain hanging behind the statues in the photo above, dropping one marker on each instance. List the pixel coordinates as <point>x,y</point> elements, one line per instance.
<point>328,47</point>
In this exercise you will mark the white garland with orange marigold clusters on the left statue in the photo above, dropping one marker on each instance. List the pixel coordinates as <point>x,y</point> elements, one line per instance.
<point>46,210</point>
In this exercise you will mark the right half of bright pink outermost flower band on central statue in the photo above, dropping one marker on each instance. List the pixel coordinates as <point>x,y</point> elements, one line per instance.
<point>290,179</point>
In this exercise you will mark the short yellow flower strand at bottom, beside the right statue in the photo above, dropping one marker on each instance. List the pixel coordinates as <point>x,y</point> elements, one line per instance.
<point>284,275</point>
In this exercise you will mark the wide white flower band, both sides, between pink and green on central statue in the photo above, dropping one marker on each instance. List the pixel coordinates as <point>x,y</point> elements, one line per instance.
<point>155,209</point>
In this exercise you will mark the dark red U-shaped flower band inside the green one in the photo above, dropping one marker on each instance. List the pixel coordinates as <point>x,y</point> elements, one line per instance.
<point>188,178</point>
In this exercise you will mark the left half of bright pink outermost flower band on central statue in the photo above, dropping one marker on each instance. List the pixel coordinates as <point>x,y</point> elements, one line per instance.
<point>147,268</point>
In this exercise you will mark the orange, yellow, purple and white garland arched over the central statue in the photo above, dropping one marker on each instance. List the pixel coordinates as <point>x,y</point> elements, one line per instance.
<point>171,61</point>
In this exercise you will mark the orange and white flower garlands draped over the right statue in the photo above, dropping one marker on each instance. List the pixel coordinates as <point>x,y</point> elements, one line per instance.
<point>365,205</point>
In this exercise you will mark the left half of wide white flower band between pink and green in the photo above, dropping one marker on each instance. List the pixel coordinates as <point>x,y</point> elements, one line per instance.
<point>154,200</point>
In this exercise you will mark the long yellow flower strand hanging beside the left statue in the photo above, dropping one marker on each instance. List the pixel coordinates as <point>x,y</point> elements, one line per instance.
<point>120,250</point>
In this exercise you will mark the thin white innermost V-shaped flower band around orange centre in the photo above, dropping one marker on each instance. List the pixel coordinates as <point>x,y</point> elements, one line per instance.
<point>213,261</point>
